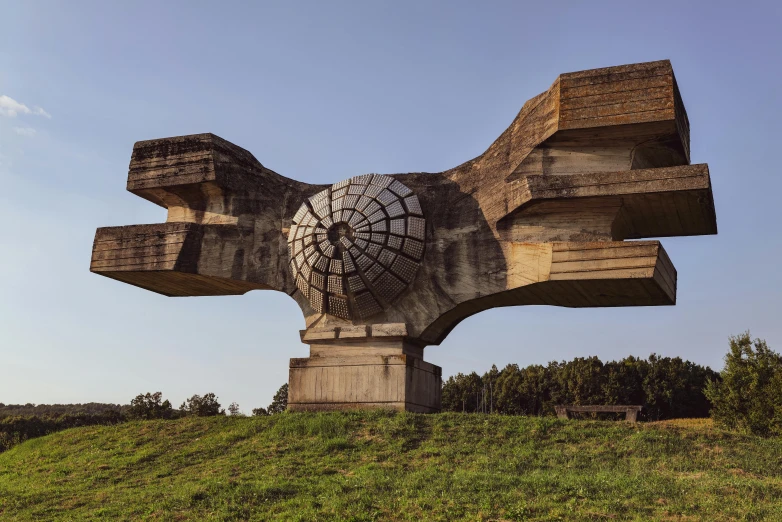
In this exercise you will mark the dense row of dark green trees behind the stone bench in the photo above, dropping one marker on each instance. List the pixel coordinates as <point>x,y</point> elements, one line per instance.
<point>666,387</point>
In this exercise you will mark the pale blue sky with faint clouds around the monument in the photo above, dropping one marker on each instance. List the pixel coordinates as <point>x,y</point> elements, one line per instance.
<point>319,92</point>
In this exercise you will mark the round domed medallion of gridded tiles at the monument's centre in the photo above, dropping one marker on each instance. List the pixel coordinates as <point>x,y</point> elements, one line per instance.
<point>356,246</point>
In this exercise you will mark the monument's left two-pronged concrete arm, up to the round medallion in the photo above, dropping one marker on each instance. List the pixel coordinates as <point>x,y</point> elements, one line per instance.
<point>227,216</point>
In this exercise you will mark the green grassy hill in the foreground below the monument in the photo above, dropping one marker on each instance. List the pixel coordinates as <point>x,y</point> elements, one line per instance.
<point>384,466</point>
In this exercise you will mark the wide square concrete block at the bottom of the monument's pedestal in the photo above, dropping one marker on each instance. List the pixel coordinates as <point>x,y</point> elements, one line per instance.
<point>341,382</point>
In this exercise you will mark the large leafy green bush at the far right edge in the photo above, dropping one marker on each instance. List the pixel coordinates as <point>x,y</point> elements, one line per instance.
<point>748,397</point>
